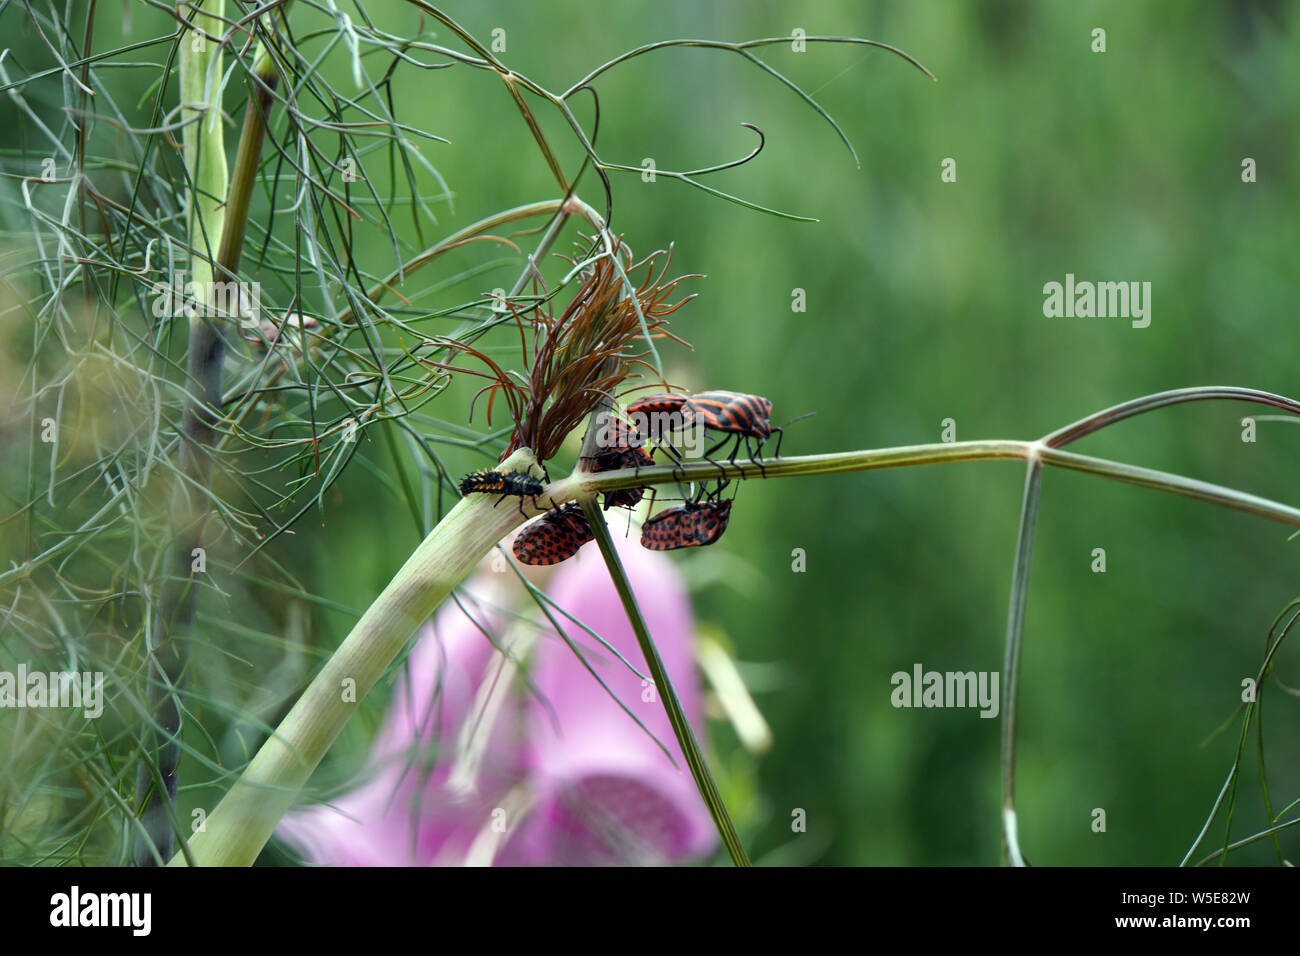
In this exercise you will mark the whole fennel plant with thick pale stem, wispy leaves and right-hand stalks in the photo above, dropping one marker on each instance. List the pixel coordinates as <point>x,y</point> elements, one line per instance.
<point>343,382</point>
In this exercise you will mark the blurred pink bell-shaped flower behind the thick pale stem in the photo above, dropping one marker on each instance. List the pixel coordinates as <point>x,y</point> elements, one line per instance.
<point>475,765</point>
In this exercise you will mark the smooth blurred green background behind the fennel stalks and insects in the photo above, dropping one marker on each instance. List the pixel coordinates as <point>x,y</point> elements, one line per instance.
<point>925,302</point>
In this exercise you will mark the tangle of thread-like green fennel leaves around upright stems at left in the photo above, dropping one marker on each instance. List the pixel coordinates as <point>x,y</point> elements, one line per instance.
<point>149,410</point>
